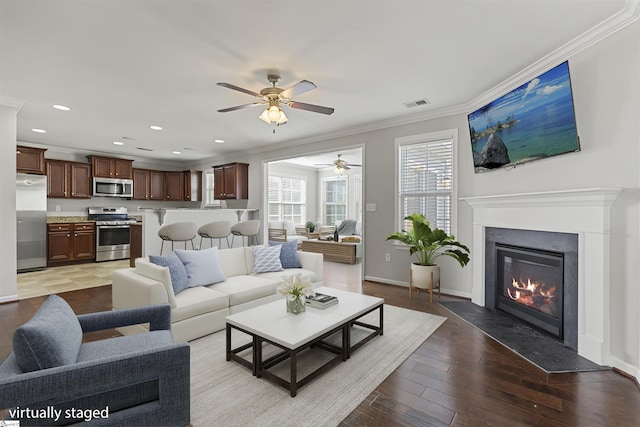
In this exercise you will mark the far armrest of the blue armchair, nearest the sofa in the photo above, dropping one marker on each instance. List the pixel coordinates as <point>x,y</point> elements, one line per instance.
<point>158,316</point>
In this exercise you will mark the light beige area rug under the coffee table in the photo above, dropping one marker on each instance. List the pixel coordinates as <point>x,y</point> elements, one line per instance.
<point>226,394</point>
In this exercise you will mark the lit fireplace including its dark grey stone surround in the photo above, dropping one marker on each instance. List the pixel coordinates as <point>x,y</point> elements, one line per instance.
<point>533,275</point>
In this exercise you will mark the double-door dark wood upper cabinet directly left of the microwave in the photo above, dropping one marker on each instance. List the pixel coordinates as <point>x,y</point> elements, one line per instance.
<point>68,179</point>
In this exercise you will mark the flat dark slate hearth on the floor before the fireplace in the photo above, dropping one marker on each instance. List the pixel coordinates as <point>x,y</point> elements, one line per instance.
<point>544,351</point>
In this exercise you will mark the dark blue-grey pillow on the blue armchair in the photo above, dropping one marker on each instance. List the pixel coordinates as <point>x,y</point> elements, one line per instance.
<point>51,338</point>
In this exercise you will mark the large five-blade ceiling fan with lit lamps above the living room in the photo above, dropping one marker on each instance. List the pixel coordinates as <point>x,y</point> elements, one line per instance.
<point>274,97</point>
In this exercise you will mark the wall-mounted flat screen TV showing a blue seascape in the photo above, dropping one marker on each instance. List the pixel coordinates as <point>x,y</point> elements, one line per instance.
<point>533,121</point>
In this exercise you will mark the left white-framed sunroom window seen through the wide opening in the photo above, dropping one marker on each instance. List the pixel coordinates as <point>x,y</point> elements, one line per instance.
<point>287,197</point>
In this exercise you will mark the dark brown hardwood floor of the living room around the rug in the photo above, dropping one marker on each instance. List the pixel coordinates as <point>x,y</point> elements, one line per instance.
<point>457,377</point>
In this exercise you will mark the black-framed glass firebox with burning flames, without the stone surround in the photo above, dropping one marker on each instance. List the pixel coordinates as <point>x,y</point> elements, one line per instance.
<point>529,286</point>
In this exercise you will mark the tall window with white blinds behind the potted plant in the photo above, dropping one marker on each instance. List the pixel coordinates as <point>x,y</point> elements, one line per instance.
<point>425,178</point>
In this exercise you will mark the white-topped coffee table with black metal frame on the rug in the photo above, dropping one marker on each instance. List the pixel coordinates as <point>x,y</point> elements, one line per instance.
<point>293,333</point>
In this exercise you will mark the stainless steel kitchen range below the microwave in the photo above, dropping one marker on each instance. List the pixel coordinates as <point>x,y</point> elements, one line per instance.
<point>112,232</point>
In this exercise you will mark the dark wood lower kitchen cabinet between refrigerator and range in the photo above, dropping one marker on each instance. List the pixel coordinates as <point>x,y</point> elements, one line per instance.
<point>67,242</point>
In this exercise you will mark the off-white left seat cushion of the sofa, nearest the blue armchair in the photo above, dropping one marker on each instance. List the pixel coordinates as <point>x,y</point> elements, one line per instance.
<point>196,301</point>
